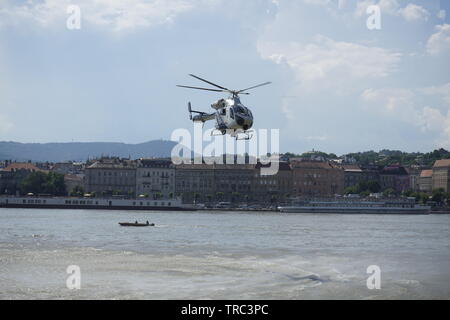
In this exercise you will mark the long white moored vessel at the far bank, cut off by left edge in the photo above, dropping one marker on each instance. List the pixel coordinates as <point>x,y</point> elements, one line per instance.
<point>92,203</point>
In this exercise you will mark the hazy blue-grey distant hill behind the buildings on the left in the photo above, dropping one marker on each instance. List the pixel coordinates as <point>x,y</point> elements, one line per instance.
<point>81,151</point>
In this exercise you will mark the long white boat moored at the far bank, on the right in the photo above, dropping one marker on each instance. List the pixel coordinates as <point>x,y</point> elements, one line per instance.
<point>356,207</point>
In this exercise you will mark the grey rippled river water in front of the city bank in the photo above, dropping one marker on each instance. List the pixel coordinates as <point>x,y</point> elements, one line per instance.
<point>222,255</point>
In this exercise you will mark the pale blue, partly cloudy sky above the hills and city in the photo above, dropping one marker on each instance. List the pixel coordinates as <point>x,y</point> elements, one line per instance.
<point>338,84</point>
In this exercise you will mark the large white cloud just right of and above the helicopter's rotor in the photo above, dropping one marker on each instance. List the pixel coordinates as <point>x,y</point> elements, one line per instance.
<point>326,61</point>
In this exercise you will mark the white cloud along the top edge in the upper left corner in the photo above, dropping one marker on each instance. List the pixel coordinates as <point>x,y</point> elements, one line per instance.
<point>115,15</point>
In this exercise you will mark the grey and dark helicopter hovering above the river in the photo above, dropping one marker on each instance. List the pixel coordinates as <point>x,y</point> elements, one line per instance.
<point>231,115</point>
